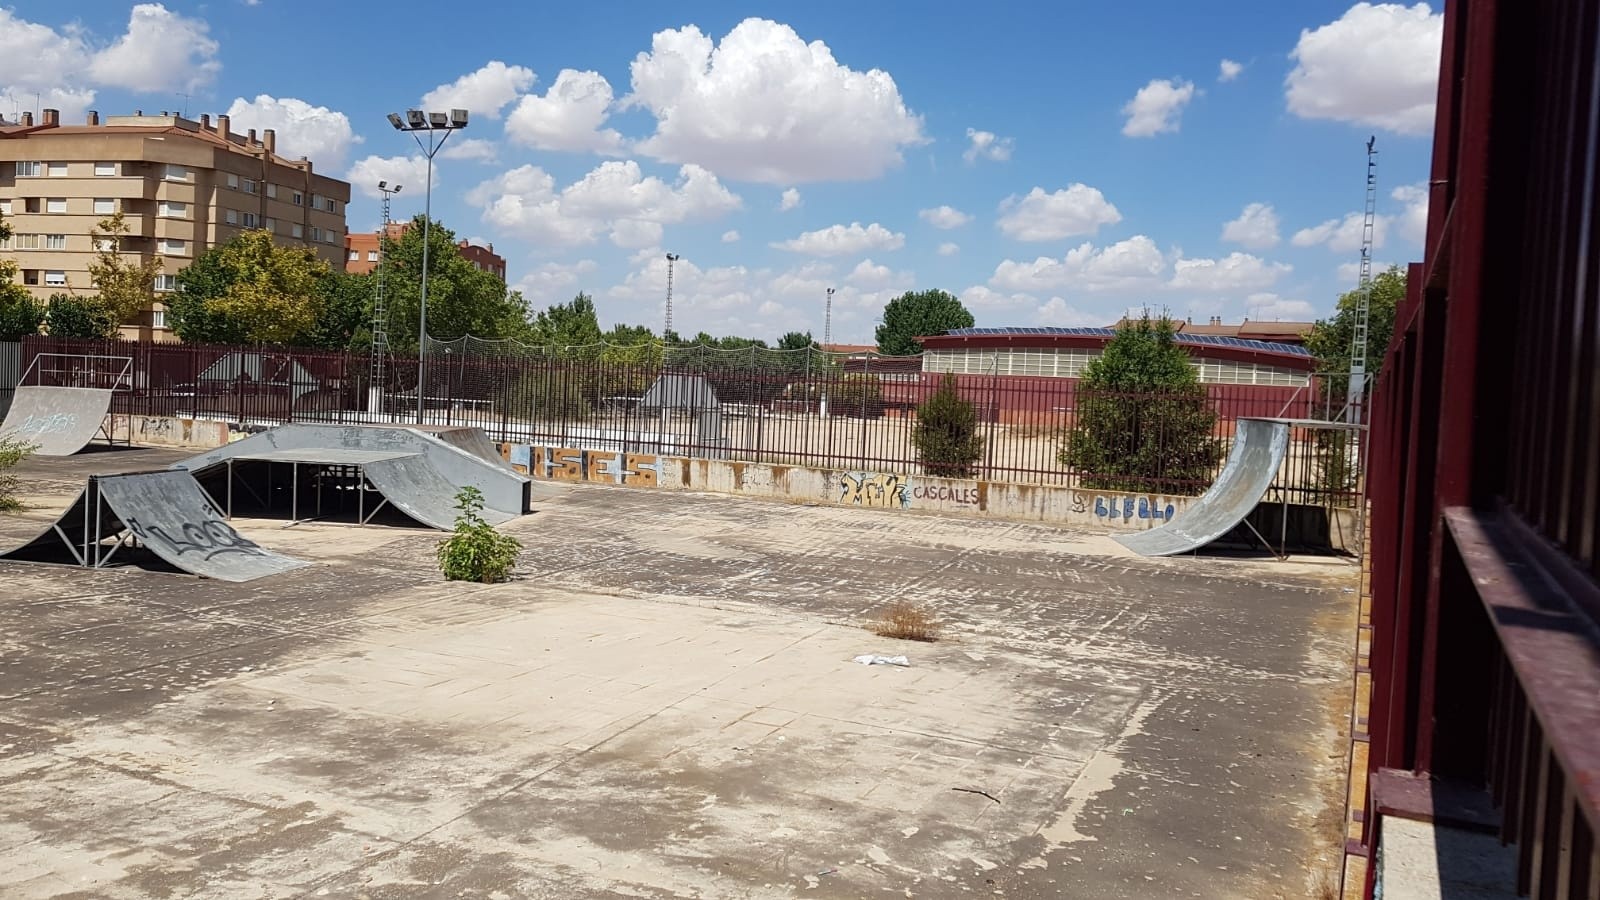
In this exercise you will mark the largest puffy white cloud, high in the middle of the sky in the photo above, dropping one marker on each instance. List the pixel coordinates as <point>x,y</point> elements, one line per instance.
<point>767,106</point>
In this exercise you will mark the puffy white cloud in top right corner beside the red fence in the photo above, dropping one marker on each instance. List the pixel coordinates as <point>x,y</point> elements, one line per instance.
<point>1377,65</point>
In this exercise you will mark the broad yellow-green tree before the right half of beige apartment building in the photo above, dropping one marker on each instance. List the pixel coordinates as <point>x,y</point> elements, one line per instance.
<point>250,291</point>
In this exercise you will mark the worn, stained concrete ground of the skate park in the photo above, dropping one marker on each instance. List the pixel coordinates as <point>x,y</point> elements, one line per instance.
<point>663,704</point>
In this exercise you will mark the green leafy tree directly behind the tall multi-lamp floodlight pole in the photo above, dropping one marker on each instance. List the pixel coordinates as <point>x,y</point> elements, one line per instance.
<point>462,299</point>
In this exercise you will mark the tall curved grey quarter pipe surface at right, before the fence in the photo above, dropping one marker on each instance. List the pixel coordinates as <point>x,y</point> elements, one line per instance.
<point>1260,448</point>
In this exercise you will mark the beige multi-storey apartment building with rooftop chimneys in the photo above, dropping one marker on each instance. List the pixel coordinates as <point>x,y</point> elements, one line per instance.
<point>182,187</point>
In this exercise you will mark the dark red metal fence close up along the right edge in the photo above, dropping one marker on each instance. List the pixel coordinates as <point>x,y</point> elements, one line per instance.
<point>1486,475</point>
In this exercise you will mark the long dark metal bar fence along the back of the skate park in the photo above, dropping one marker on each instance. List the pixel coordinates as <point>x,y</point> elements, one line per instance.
<point>802,408</point>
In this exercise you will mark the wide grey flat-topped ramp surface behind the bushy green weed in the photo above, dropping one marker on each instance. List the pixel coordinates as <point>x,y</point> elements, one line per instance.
<point>446,470</point>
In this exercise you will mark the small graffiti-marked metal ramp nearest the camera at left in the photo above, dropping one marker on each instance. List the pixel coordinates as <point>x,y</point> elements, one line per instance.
<point>166,513</point>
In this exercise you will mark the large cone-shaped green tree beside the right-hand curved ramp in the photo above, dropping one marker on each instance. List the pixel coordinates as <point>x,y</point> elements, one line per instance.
<point>1145,420</point>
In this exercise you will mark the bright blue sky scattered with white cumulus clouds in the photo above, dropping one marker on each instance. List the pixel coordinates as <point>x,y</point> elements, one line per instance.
<point>1054,164</point>
